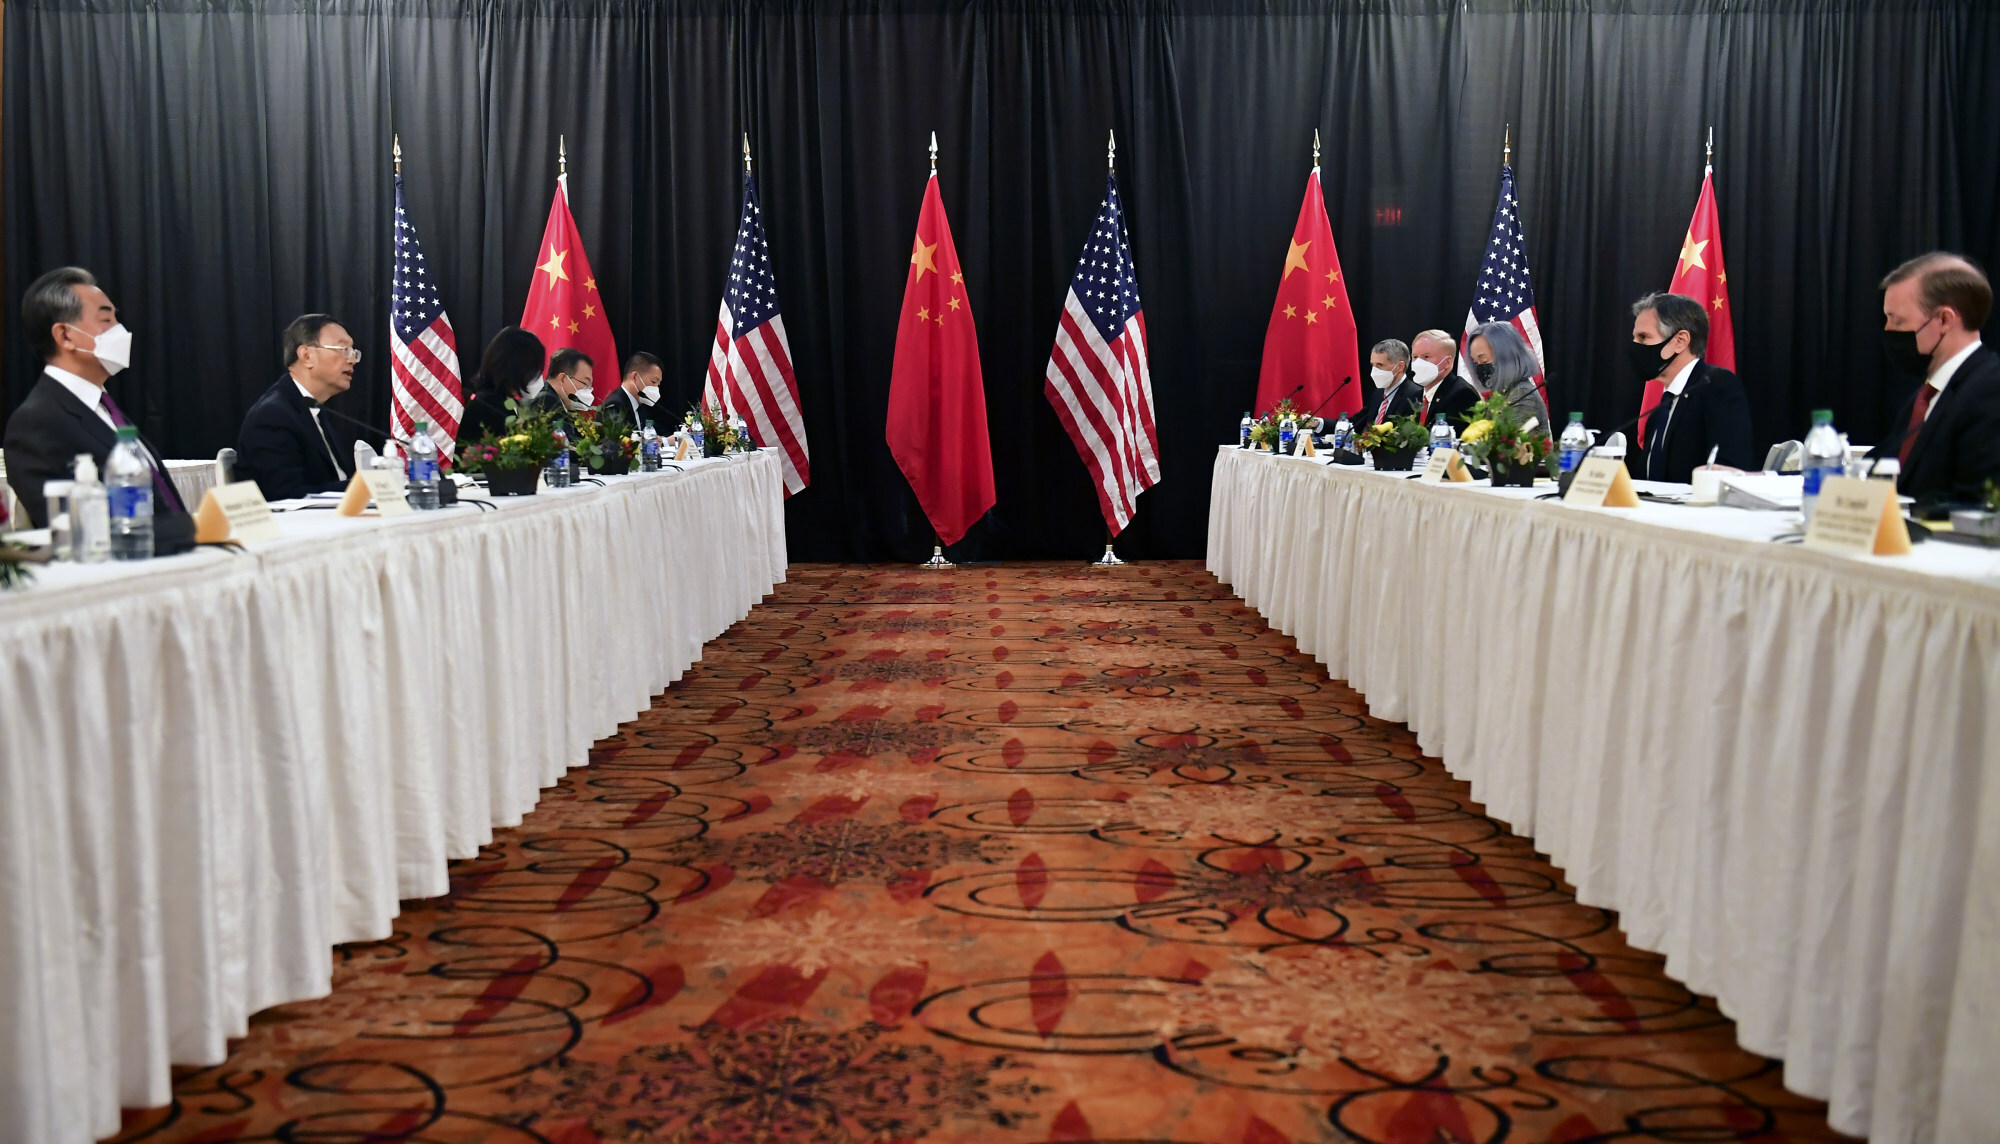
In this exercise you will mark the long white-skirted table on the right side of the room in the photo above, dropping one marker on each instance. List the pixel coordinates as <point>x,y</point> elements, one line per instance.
<point>1781,767</point>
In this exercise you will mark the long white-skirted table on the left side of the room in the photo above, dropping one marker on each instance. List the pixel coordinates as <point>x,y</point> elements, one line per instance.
<point>217,767</point>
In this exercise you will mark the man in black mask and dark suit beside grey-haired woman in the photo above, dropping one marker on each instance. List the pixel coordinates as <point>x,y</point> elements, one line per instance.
<point>1705,407</point>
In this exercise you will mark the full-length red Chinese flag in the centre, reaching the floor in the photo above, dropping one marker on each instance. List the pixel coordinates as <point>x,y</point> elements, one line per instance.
<point>937,399</point>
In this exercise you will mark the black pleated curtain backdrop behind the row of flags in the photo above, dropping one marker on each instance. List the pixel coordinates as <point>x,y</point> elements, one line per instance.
<point>225,165</point>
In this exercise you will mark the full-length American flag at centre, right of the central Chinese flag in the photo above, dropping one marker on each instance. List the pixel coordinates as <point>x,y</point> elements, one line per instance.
<point>1099,379</point>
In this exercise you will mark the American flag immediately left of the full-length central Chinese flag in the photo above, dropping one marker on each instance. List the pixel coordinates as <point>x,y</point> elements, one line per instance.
<point>751,365</point>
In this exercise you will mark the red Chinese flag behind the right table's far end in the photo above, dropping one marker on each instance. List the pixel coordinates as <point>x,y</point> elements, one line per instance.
<point>1311,339</point>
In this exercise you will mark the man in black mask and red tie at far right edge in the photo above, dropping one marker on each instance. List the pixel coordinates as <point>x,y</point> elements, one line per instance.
<point>1949,435</point>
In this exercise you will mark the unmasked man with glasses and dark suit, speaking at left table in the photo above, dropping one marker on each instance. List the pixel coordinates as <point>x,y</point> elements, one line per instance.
<point>285,445</point>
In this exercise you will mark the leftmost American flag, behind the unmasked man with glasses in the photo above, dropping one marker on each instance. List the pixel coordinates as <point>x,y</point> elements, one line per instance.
<point>423,351</point>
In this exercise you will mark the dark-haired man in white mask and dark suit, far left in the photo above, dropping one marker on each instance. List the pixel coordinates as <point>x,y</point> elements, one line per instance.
<point>77,333</point>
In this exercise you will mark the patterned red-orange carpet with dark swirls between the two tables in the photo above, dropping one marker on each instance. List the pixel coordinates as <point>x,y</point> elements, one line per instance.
<point>999,855</point>
